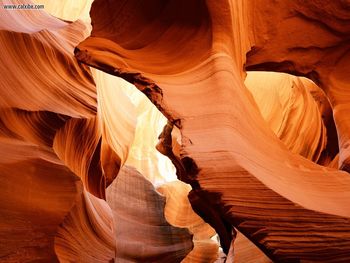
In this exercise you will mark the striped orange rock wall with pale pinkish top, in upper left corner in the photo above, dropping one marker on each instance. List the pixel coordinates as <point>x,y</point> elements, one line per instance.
<point>40,65</point>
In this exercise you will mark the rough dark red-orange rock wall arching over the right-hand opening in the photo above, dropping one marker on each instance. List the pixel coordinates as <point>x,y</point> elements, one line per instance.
<point>311,39</point>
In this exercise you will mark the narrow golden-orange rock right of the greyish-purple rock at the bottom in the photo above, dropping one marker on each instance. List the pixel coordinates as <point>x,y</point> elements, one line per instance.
<point>178,212</point>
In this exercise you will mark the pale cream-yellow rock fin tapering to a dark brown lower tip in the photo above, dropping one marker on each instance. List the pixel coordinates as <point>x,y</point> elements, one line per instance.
<point>117,120</point>
